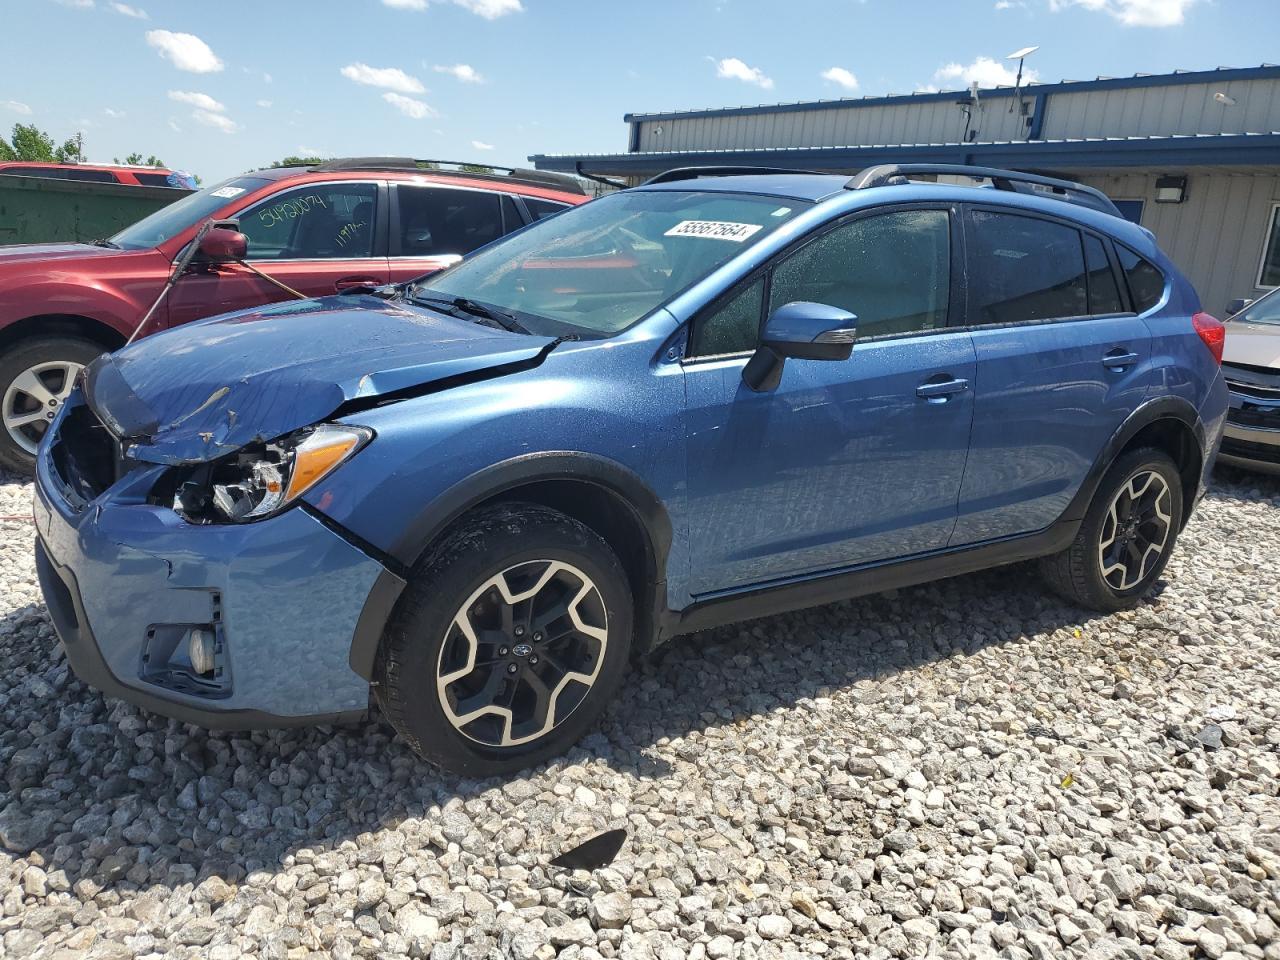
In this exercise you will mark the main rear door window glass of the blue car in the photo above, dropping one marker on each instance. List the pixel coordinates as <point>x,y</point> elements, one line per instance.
<point>1023,268</point>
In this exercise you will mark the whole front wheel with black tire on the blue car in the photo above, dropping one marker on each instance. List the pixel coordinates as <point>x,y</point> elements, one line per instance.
<point>509,643</point>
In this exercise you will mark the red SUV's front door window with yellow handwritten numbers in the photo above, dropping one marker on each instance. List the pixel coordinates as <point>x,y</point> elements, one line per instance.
<point>316,222</point>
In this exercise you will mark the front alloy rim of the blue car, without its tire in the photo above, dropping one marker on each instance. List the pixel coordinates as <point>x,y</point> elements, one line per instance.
<point>523,653</point>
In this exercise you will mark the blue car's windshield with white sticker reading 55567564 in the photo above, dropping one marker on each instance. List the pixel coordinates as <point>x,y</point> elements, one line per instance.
<point>600,268</point>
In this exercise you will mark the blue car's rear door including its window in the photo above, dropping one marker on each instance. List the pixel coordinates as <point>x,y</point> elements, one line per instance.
<point>1050,392</point>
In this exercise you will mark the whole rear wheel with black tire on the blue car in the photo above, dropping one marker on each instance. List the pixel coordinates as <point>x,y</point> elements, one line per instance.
<point>1127,537</point>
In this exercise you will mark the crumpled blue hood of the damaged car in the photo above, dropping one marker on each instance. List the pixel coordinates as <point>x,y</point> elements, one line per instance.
<point>207,390</point>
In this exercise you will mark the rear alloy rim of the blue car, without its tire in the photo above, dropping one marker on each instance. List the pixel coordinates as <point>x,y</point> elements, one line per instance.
<point>1136,531</point>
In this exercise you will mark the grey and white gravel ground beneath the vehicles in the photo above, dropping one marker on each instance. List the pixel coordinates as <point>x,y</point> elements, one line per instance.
<point>966,770</point>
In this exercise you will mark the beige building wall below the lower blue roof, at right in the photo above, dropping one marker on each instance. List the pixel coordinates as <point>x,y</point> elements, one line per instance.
<point>1217,236</point>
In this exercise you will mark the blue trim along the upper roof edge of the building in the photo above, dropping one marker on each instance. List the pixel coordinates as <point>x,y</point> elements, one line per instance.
<point>1222,75</point>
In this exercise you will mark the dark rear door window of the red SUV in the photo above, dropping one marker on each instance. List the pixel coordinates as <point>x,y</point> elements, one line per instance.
<point>442,221</point>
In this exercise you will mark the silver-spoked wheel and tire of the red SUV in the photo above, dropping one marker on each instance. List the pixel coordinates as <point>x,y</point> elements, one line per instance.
<point>35,380</point>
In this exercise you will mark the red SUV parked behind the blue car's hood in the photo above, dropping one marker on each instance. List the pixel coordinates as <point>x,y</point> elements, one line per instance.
<point>319,230</point>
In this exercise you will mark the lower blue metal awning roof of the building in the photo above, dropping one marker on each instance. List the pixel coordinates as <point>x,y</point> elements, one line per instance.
<point>1181,150</point>
